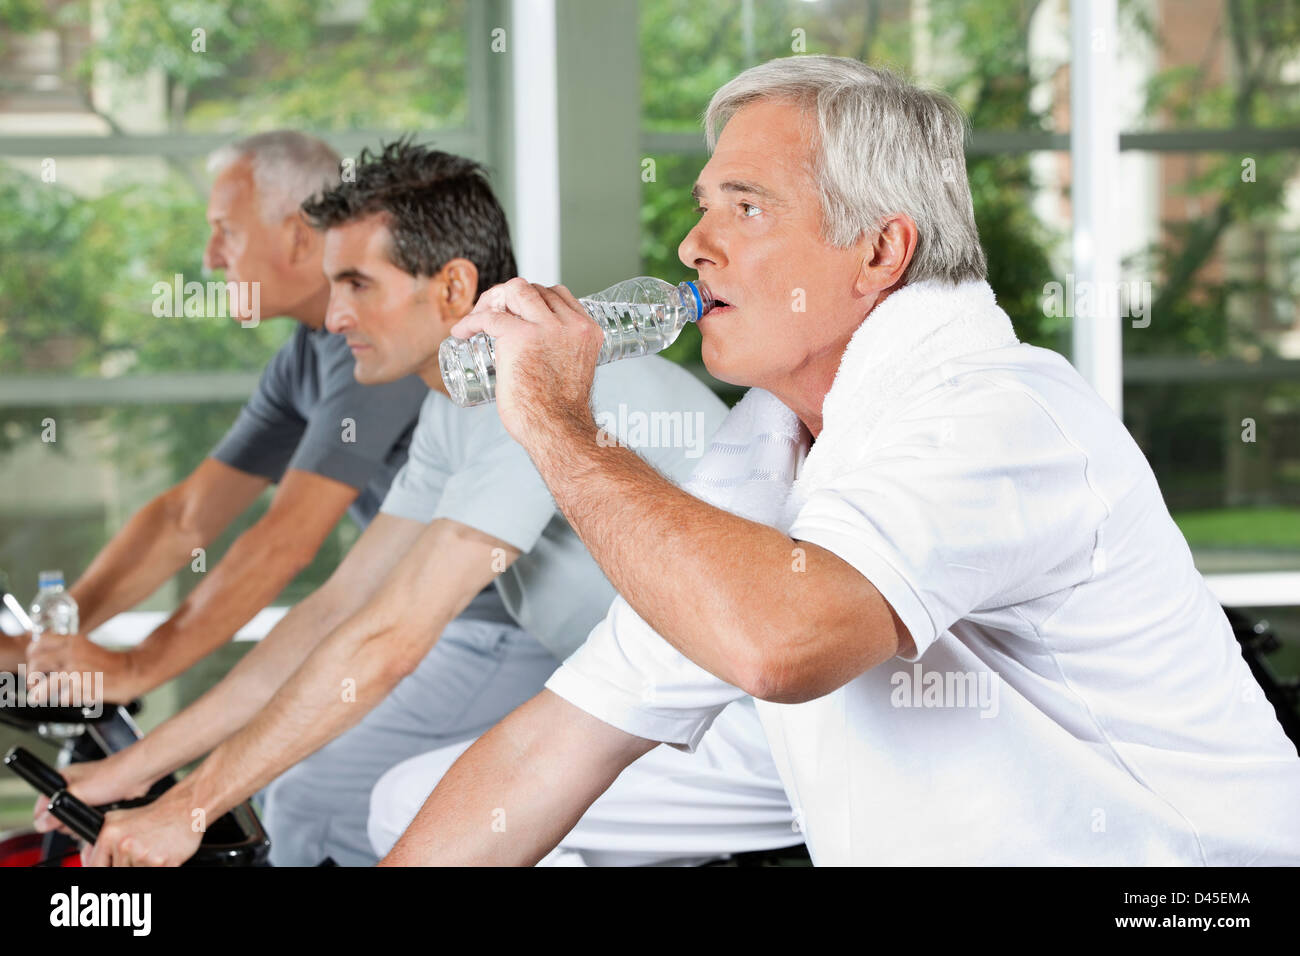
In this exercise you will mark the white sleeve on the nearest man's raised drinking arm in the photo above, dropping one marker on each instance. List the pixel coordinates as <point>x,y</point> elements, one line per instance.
<point>963,507</point>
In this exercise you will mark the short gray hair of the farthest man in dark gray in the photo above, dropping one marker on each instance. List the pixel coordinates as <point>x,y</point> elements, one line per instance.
<point>288,168</point>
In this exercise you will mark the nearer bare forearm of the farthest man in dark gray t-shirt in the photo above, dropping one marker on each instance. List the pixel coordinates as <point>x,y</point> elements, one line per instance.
<point>249,578</point>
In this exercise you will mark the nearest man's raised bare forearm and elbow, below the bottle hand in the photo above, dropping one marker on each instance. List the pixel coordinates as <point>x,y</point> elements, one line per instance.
<point>785,621</point>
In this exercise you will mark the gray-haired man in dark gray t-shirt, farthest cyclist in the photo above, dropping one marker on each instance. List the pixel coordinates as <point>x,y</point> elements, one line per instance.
<point>331,444</point>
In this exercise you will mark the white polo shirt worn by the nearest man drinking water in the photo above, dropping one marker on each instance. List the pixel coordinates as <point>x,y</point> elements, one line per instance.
<point>1077,698</point>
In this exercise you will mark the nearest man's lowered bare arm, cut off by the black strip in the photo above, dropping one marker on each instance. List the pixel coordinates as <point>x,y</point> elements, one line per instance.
<point>517,793</point>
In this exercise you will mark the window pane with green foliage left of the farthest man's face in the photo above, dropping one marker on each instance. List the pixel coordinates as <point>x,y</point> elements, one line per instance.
<point>114,236</point>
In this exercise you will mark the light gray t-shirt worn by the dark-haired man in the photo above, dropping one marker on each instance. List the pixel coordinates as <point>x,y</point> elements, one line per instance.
<point>466,468</point>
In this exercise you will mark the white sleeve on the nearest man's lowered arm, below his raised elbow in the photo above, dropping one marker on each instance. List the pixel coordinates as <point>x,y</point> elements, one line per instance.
<point>630,677</point>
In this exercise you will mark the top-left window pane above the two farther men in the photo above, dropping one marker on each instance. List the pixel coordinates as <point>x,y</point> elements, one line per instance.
<point>151,67</point>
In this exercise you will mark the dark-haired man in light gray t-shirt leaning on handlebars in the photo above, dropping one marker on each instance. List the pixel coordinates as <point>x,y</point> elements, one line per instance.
<point>460,600</point>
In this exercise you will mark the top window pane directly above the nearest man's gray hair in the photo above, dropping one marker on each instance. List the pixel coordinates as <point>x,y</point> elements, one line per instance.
<point>1003,60</point>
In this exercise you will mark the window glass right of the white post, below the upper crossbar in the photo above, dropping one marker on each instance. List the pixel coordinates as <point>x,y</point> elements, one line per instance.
<point>1214,377</point>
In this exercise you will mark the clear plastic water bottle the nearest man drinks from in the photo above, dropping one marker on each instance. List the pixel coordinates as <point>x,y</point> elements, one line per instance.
<point>640,317</point>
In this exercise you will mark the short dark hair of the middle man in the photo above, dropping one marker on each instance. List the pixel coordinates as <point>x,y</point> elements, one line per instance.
<point>439,207</point>
